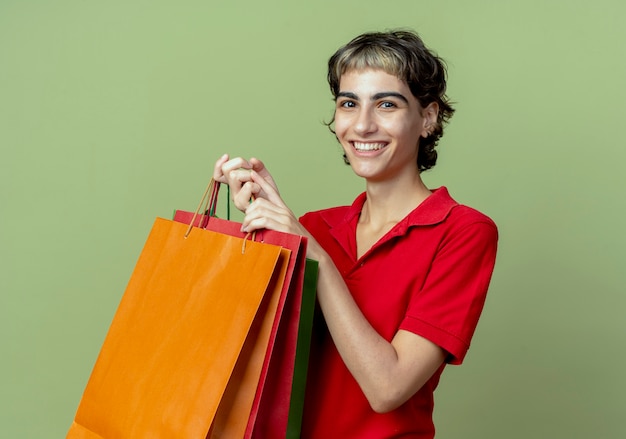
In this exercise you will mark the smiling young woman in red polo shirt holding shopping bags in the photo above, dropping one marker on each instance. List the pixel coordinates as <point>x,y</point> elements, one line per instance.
<point>404,270</point>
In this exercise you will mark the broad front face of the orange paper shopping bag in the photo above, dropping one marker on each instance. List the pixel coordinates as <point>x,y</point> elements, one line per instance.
<point>176,336</point>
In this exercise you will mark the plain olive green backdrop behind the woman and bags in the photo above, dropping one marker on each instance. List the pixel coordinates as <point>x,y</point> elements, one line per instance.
<point>113,112</point>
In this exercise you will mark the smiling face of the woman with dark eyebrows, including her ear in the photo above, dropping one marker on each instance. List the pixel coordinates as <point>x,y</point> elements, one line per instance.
<point>379,122</point>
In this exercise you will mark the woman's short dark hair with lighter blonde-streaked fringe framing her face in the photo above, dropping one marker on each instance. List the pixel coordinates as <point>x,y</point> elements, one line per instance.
<point>404,55</point>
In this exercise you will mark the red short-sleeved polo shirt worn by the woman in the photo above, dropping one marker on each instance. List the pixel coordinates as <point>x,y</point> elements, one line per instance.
<point>428,275</point>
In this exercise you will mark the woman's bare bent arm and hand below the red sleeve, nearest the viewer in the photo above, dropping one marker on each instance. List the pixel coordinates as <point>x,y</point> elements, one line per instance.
<point>388,373</point>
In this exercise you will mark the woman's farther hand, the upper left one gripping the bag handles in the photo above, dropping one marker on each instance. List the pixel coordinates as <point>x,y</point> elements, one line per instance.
<point>236,174</point>
